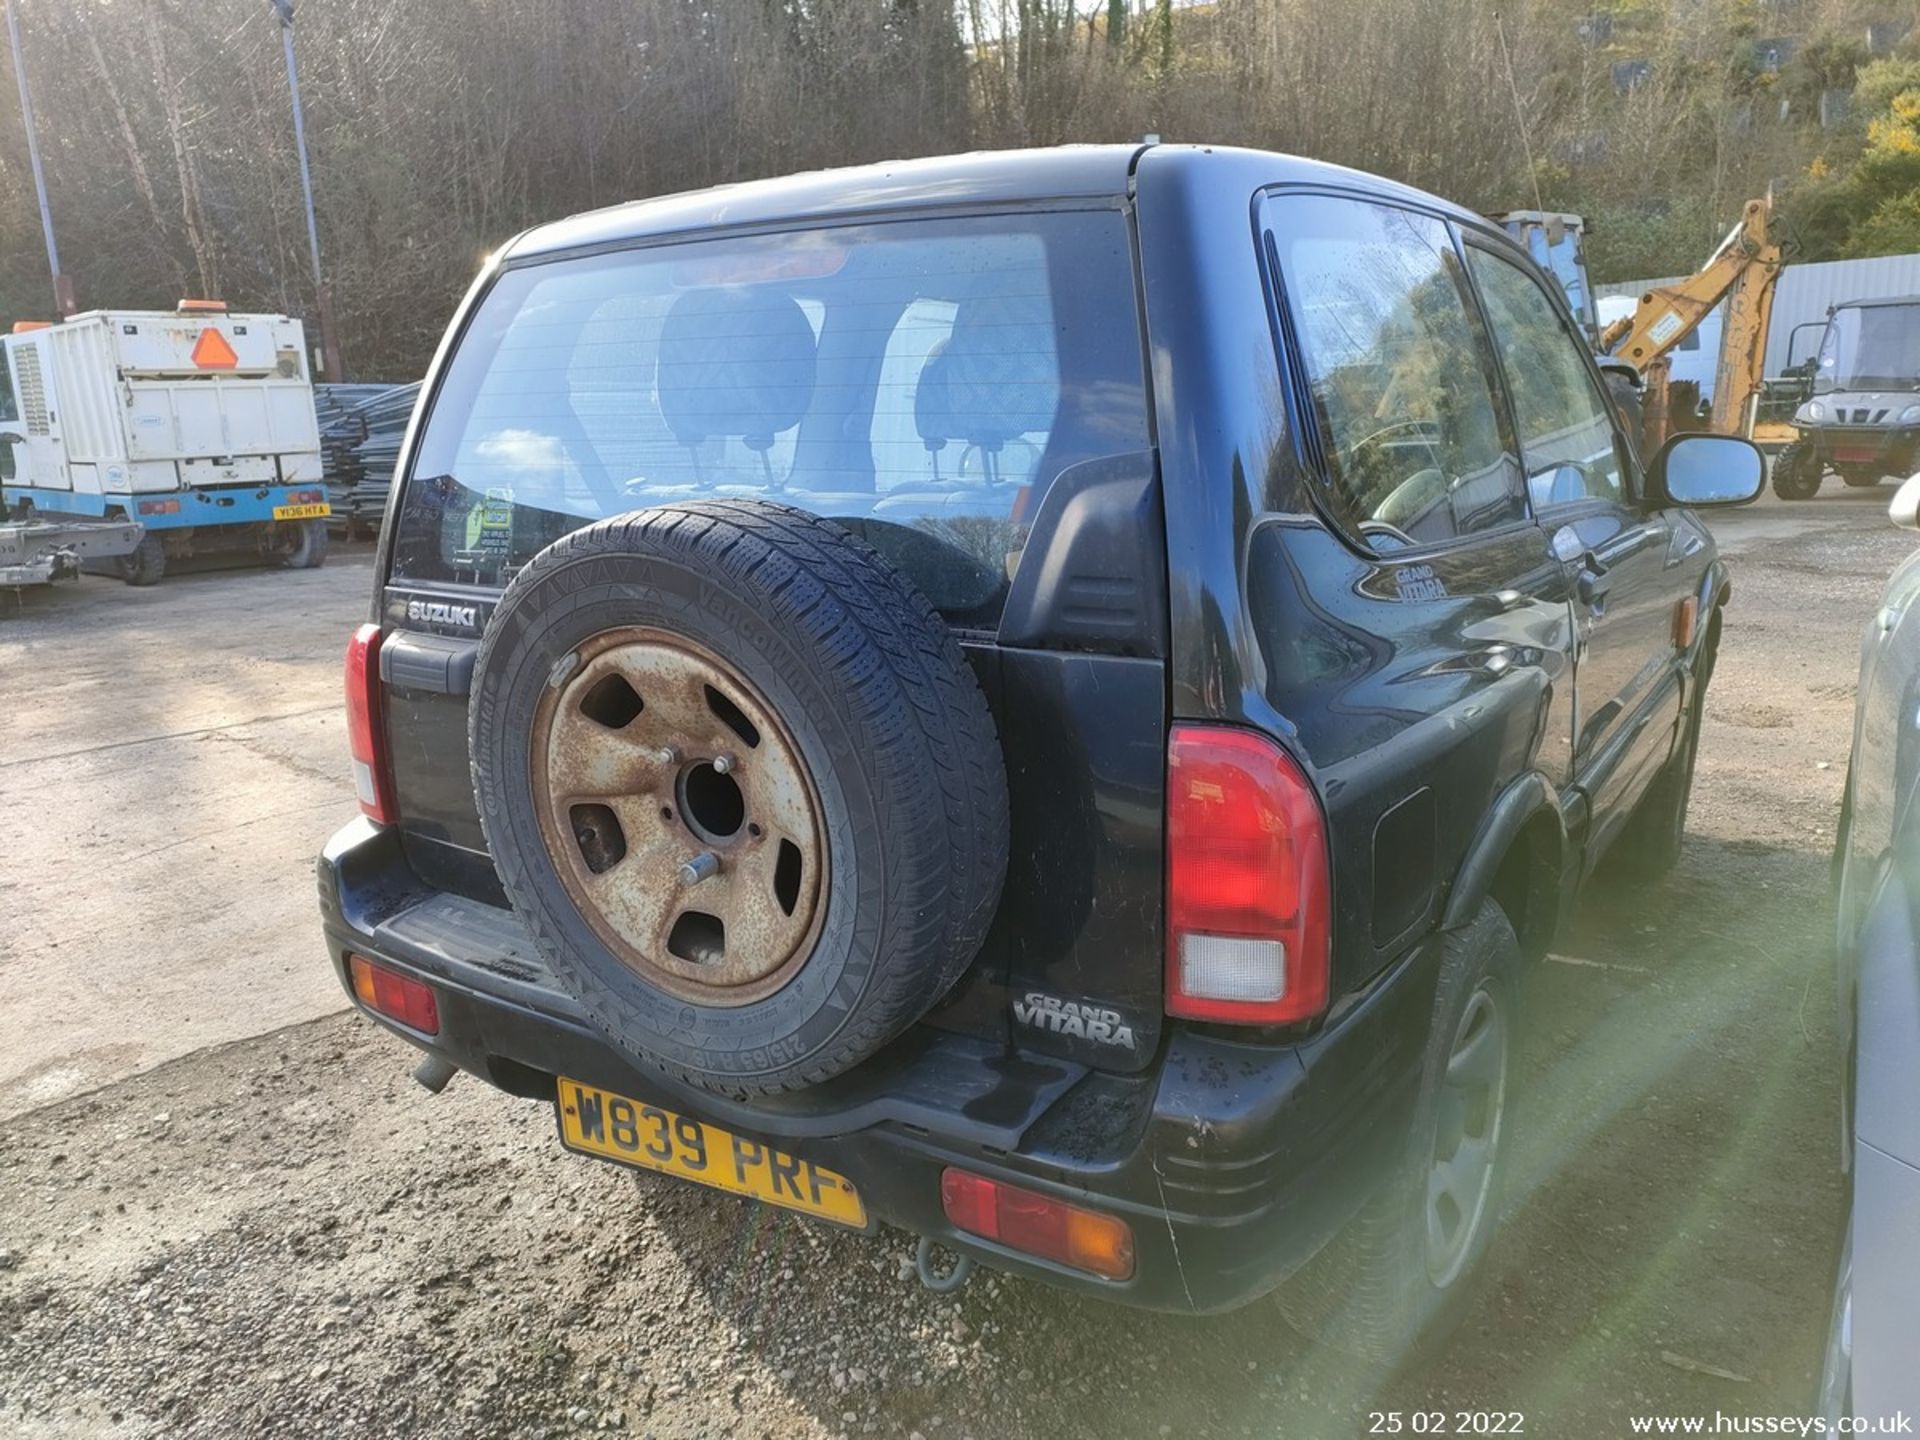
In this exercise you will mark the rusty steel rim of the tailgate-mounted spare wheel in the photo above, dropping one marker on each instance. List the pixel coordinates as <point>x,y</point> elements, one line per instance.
<point>679,815</point>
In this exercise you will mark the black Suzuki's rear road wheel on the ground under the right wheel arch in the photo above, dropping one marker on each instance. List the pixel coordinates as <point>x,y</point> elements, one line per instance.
<point>1404,1266</point>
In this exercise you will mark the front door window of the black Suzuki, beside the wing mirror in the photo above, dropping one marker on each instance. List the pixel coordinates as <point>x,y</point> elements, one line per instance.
<point>1566,420</point>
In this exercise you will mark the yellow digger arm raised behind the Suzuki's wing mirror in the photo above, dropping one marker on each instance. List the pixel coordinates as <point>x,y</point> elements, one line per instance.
<point>1746,268</point>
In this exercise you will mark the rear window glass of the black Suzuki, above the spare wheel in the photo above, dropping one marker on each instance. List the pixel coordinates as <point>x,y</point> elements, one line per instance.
<point>919,381</point>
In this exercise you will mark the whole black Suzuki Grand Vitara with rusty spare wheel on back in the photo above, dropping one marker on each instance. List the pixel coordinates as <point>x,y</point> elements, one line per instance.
<point>1038,698</point>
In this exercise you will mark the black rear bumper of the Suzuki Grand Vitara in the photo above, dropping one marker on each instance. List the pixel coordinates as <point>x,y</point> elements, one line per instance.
<point>1234,1163</point>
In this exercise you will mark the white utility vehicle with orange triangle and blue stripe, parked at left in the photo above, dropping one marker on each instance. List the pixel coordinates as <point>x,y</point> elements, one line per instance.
<point>193,423</point>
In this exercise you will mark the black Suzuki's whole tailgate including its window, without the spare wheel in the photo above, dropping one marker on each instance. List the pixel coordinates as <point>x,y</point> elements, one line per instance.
<point>969,395</point>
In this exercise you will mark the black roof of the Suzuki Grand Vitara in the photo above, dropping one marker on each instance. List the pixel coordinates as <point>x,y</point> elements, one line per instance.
<point>984,178</point>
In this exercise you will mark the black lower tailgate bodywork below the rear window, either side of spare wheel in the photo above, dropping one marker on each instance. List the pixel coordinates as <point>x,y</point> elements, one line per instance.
<point>1072,965</point>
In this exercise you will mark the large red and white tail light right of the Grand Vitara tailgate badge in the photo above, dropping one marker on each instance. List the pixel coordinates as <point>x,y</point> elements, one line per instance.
<point>1249,890</point>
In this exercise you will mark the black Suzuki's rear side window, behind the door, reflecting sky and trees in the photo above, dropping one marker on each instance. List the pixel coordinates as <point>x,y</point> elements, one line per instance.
<point>1401,377</point>
